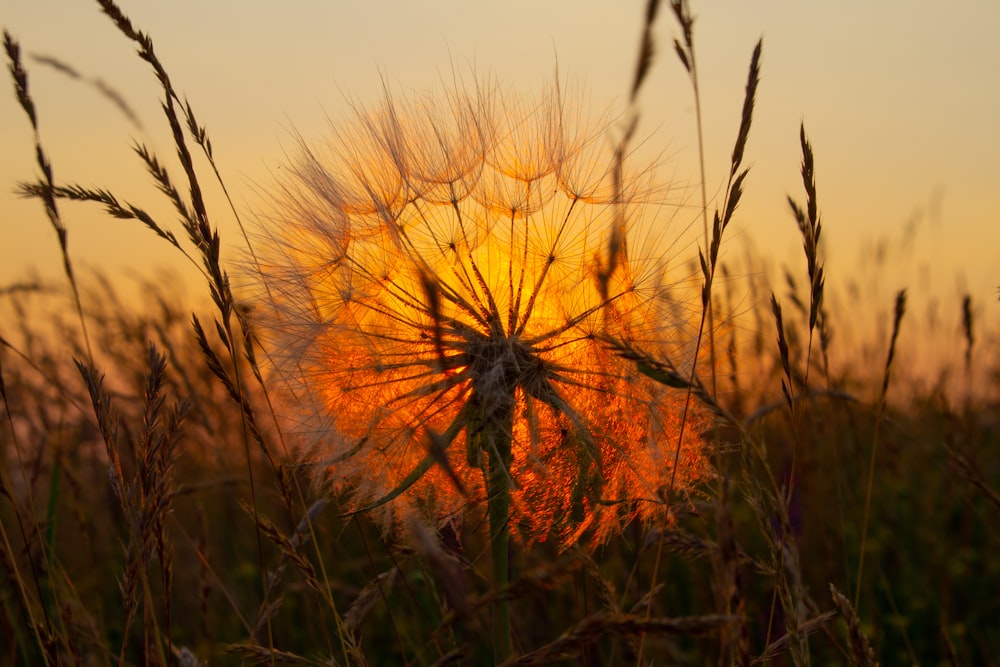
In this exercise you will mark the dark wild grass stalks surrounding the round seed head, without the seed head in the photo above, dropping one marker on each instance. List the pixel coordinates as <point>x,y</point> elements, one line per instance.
<point>154,512</point>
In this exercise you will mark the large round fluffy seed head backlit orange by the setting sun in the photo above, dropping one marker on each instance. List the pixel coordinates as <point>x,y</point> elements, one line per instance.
<point>439,275</point>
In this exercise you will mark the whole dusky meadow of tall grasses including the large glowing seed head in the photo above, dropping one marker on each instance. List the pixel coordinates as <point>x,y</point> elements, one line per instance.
<point>451,409</point>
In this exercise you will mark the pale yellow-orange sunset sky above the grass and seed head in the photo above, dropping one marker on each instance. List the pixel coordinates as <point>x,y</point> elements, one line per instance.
<point>900,100</point>
